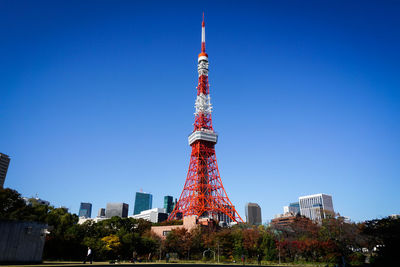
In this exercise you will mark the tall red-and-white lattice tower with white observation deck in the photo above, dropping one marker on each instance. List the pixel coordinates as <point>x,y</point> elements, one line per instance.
<point>203,194</point>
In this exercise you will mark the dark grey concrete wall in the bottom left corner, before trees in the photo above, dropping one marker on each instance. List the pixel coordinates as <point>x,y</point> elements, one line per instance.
<point>21,242</point>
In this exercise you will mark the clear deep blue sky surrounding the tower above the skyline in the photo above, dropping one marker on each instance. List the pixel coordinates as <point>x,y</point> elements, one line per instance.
<point>97,100</point>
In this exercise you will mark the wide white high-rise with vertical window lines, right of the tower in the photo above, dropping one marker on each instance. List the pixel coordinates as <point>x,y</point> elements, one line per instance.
<point>316,207</point>
